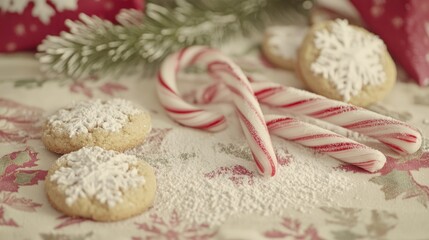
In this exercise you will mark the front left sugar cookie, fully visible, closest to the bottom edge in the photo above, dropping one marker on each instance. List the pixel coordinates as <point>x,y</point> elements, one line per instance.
<point>99,184</point>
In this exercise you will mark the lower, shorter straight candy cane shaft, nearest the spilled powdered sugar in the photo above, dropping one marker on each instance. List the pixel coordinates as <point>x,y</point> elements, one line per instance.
<point>325,141</point>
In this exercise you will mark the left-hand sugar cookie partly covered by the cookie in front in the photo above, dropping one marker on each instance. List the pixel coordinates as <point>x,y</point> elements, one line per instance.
<point>115,124</point>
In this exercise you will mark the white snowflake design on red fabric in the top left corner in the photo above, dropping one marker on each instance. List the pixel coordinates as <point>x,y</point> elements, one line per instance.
<point>41,9</point>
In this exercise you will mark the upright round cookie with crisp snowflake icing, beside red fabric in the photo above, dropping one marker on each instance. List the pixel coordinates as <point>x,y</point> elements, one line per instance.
<point>346,63</point>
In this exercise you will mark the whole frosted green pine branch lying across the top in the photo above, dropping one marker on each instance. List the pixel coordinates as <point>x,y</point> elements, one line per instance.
<point>97,46</point>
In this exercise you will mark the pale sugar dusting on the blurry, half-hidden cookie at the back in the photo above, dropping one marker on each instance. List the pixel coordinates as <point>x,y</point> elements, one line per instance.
<point>285,40</point>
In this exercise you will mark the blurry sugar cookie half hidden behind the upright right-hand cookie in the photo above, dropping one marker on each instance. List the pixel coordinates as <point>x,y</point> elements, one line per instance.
<point>281,43</point>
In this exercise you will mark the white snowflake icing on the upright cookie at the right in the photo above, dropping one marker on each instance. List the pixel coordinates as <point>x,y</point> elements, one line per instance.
<point>349,59</point>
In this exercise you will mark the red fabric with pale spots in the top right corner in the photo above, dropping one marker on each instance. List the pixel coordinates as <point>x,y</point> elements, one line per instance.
<point>404,27</point>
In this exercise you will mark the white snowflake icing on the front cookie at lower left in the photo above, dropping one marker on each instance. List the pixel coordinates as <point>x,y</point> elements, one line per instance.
<point>95,172</point>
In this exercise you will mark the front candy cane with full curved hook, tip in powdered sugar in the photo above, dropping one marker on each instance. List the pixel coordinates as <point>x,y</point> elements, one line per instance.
<point>246,105</point>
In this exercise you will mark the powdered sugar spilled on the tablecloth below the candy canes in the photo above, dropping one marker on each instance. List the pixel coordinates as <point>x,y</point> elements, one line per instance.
<point>207,177</point>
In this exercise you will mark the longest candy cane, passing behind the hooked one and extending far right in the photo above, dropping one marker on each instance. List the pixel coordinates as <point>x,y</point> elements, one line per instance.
<point>395,134</point>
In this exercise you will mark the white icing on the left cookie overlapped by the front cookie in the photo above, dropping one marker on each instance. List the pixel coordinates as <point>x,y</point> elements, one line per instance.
<point>82,117</point>
